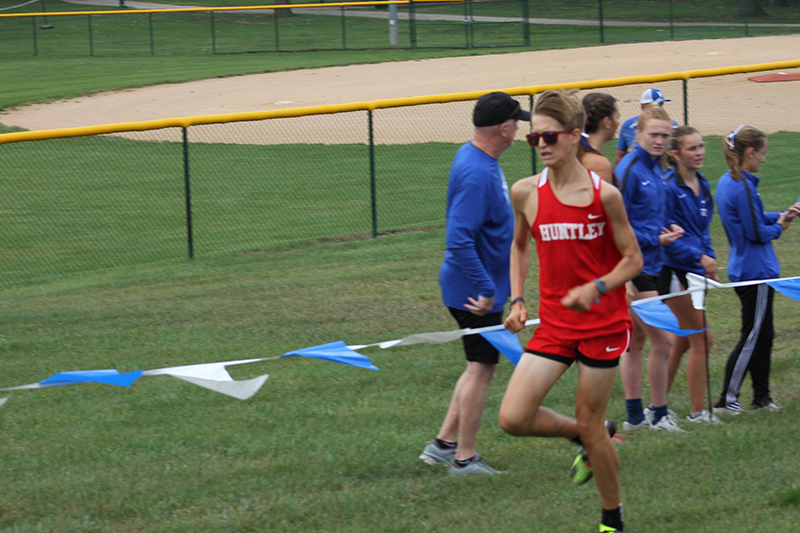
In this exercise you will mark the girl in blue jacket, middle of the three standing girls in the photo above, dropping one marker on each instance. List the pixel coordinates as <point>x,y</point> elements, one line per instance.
<point>688,204</point>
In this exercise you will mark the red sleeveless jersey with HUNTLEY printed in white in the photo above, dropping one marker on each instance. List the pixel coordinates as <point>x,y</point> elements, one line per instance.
<point>575,245</point>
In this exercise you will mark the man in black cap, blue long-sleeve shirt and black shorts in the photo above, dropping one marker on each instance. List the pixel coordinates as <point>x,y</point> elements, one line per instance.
<point>474,276</point>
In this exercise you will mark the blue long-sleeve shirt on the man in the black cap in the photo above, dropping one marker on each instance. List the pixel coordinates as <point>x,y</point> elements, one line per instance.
<point>480,228</point>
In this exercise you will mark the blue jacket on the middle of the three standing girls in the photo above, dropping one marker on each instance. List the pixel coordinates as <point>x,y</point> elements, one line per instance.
<point>693,214</point>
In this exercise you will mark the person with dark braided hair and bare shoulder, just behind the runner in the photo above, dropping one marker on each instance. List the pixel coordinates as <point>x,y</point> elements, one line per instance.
<point>602,122</point>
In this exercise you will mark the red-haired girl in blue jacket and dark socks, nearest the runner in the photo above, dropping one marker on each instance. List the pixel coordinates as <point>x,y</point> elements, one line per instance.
<point>638,177</point>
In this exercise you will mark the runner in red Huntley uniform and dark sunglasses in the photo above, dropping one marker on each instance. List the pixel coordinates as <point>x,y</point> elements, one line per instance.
<point>587,251</point>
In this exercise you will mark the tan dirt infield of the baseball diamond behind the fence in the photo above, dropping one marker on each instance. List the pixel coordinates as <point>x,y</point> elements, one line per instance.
<point>715,104</point>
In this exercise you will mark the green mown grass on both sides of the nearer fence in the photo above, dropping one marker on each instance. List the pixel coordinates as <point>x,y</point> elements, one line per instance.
<point>322,447</point>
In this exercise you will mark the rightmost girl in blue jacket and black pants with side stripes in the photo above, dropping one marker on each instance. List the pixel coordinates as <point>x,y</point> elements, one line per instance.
<point>750,231</point>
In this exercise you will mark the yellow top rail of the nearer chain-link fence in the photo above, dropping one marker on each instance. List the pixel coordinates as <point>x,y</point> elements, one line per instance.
<point>186,122</point>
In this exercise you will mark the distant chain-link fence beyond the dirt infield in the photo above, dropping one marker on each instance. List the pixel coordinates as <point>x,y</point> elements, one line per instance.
<point>391,24</point>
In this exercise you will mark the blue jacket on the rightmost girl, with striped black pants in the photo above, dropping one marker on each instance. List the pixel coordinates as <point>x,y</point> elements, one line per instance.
<point>750,230</point>
